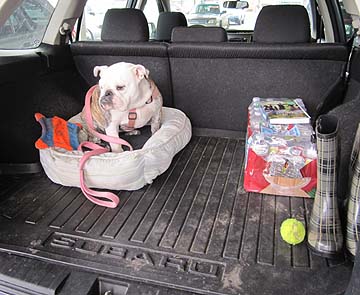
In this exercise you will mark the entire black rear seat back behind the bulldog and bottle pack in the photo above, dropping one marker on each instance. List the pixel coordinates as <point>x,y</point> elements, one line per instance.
<point>213,81</point>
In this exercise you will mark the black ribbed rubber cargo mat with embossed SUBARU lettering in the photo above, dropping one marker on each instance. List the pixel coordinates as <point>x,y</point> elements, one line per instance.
<point>193,229</point>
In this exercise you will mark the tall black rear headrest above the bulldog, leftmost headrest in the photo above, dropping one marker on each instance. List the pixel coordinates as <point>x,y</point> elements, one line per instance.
<point>124,25</point>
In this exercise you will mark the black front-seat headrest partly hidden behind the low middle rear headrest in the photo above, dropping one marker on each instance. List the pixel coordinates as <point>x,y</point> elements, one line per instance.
<point>166,22</point>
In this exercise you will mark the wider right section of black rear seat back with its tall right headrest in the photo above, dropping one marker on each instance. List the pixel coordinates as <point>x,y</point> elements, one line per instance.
<point>214,83</point>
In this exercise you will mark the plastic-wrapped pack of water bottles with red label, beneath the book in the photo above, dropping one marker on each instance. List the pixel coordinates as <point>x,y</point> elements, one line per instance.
<point>280,159</point>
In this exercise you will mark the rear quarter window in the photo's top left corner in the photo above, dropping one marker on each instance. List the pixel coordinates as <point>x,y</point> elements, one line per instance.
<point>26,26</point>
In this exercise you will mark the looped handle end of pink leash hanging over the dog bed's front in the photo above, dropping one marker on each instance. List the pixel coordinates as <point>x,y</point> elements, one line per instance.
<point>92,195</point>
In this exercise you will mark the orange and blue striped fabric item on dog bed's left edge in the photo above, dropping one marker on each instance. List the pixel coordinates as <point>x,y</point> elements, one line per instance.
<point>56,132</point>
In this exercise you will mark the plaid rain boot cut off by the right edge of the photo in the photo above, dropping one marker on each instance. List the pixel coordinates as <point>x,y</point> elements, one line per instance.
<point>353,206</point>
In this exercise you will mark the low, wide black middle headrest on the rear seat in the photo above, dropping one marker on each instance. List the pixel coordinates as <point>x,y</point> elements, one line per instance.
<point>199,34</point>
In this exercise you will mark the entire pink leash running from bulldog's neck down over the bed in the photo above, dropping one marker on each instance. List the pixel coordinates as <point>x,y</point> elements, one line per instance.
<point>92,195</point>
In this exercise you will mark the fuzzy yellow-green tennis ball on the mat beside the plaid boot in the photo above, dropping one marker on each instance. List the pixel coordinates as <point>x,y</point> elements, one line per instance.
<point>292,231</point>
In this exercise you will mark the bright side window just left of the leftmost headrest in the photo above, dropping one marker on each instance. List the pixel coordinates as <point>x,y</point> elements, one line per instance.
<point>93,17</point>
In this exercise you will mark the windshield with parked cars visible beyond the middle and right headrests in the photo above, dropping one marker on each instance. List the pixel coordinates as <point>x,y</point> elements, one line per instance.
<point>231,15</point>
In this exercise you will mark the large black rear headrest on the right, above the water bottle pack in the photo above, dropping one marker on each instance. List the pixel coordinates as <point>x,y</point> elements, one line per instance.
<point>282,24</point>
